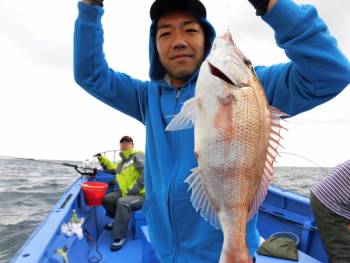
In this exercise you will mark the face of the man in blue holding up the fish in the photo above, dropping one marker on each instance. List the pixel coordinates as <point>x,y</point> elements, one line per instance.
<point>180,43</point>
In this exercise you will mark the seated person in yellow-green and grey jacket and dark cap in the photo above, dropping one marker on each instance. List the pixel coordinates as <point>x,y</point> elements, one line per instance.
<point>130,197</point>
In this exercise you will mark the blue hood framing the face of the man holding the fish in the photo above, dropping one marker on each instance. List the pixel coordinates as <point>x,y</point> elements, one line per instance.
<point>157,71</point>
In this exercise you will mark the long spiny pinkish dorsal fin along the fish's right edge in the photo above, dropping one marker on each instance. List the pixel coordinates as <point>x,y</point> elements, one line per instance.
<point>274,143</point>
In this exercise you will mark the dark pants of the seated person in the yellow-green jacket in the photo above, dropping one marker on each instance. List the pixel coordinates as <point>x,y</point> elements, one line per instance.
<point>121,208</point>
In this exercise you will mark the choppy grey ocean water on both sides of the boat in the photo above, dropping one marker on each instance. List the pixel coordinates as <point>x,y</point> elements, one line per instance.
<point>29,189</point>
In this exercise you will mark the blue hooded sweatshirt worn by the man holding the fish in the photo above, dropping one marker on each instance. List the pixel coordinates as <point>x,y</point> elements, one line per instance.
<point>318,71</point>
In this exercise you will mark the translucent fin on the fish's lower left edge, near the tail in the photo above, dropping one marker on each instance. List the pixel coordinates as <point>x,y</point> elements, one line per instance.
<point>200,200</point>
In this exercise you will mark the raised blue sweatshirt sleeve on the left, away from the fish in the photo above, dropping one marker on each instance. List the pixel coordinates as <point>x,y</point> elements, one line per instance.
<point>91,70</point>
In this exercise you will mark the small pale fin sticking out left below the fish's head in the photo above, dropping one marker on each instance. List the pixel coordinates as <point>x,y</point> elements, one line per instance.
<point>186,118</point>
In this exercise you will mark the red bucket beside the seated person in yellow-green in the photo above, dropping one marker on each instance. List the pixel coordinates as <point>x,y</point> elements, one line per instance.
<point>94,192</point>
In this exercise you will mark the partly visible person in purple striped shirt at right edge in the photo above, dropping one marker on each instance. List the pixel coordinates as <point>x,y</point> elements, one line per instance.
<point>330,202</point>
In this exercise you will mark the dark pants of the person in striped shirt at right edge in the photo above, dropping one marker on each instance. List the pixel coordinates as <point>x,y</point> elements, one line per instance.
<point>334,231</point>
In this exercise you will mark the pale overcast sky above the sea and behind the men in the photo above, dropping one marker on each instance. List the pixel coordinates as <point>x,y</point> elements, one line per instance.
<point>44,114</point>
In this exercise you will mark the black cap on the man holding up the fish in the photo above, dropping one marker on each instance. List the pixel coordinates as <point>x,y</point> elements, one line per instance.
<point>161,7</point>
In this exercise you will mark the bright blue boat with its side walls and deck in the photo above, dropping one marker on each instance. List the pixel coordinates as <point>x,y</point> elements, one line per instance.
<point>281,211</point>
